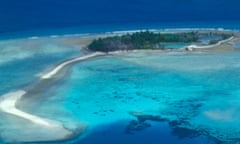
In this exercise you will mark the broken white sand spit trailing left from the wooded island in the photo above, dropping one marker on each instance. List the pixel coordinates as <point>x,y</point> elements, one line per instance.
<point>8,101</point>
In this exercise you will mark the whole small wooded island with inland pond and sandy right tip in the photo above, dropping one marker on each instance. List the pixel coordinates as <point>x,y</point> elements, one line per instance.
<point>156,40</point>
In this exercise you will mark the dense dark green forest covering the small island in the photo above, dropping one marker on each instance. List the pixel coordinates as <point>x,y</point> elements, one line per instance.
<point>141,40</point>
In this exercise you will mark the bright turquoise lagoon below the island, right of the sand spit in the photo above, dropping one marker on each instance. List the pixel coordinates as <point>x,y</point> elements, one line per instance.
<point>198,91</point>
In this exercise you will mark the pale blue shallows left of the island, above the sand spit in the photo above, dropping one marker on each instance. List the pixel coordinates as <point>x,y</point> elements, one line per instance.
<point>24,60</point>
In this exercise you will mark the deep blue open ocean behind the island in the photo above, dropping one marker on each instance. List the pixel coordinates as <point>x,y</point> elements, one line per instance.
<point>44,17</point>
